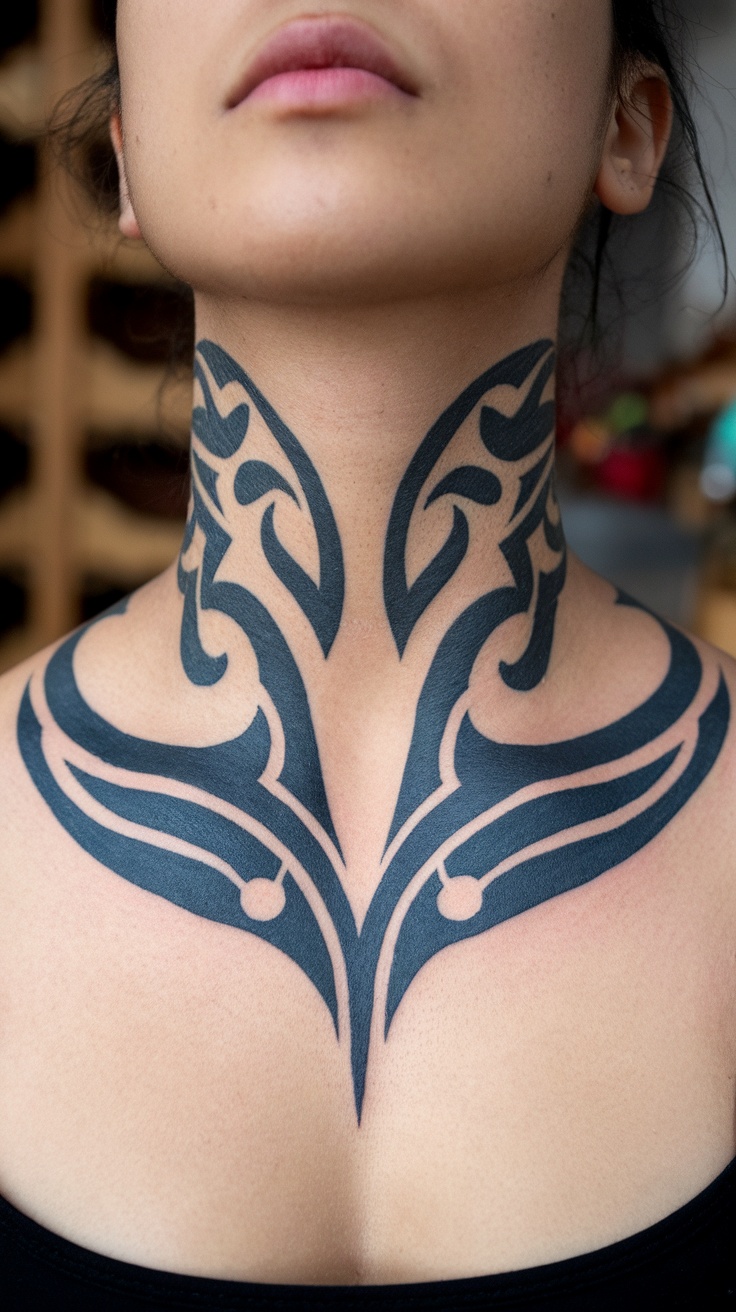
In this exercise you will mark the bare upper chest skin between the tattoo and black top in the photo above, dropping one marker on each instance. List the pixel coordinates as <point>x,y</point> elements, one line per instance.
<point>173,1091</point>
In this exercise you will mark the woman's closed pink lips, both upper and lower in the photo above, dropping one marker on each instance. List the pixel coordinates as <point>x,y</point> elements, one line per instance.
<point>322,62</point>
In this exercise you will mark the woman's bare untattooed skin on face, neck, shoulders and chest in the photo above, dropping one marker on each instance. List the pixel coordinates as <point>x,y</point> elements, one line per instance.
<point>173,1090</point>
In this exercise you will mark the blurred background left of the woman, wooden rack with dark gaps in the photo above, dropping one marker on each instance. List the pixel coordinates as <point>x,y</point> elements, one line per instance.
<point>94,419</point>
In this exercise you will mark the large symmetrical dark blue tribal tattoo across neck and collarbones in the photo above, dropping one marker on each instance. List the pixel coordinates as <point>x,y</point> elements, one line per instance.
<point>483,831</point>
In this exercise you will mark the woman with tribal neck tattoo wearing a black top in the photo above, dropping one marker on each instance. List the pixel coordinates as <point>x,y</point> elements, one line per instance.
<point>369,903</point>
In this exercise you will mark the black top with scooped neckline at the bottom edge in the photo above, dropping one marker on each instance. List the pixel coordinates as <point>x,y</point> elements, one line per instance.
<point>685,1261</point>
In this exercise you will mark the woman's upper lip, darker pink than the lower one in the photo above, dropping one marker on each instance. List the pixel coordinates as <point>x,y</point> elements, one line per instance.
<point>331,43</point>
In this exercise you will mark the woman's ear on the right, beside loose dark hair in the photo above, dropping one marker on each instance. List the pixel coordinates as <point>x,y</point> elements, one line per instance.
<point>636,142</point>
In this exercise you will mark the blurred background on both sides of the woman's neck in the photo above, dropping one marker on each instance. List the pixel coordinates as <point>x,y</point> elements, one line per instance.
<point>94,417</point>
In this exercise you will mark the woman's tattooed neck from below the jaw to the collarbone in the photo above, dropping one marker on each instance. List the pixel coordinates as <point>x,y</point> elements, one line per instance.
<point>373,520</point>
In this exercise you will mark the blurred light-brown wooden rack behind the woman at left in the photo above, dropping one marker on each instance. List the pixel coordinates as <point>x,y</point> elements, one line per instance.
<point>62,384</point>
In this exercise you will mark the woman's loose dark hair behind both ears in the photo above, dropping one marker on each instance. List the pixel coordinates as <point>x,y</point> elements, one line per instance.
<point>653,31</point>
